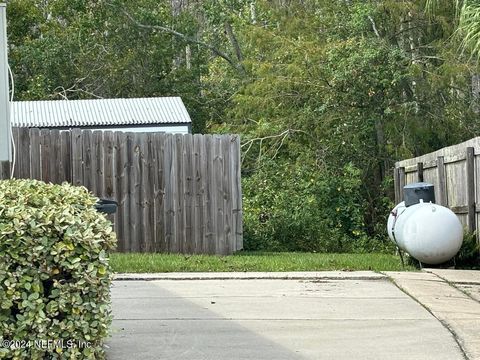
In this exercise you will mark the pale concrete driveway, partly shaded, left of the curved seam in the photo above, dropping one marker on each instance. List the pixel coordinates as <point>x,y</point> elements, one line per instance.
<point>325,315</point>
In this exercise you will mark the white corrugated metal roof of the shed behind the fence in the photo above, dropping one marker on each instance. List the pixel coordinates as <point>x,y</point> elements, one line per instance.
<point>95,112</point>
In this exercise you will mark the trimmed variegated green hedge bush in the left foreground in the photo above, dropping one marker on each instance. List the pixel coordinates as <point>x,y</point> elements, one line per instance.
<point>54,272</point>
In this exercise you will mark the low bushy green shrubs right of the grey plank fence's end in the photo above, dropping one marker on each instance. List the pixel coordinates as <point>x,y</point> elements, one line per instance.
<point>298,205</point>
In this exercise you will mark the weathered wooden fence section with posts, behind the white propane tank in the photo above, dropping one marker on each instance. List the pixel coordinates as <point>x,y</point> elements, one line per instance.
<point>454,173</point>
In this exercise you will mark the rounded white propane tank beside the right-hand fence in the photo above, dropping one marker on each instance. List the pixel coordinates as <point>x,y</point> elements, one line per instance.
<point>429,232</point>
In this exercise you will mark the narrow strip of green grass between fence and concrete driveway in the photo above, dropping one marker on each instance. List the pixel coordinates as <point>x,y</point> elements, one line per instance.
<point>254,261</point>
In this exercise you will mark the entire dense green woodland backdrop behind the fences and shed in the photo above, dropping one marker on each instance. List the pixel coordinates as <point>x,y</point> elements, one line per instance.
<point>325,94</point>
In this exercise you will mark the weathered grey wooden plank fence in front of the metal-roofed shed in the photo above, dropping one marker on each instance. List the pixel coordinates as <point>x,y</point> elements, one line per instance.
<point>176,193</point>
